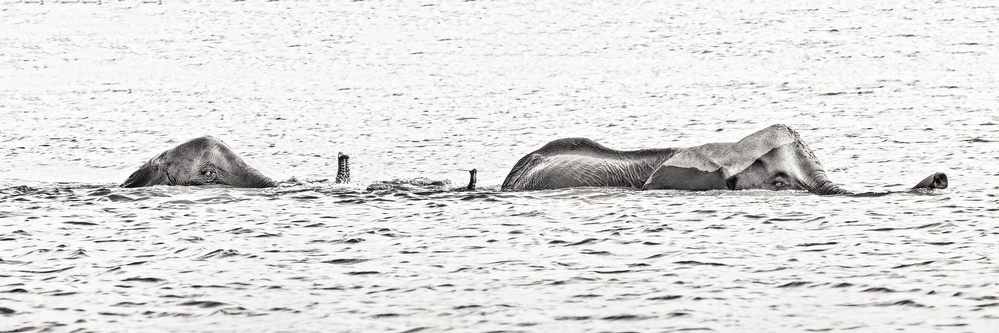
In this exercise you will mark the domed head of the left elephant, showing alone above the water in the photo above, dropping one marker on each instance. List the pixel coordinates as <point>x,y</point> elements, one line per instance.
<point>202,161</point>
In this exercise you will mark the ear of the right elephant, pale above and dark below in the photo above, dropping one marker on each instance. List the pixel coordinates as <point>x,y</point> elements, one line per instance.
<point>687,170</point>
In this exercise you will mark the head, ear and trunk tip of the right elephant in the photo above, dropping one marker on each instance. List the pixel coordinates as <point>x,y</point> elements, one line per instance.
<point>774,158</point>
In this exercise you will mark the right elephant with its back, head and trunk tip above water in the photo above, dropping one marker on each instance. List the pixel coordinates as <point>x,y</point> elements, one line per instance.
<point>773,158</point>
